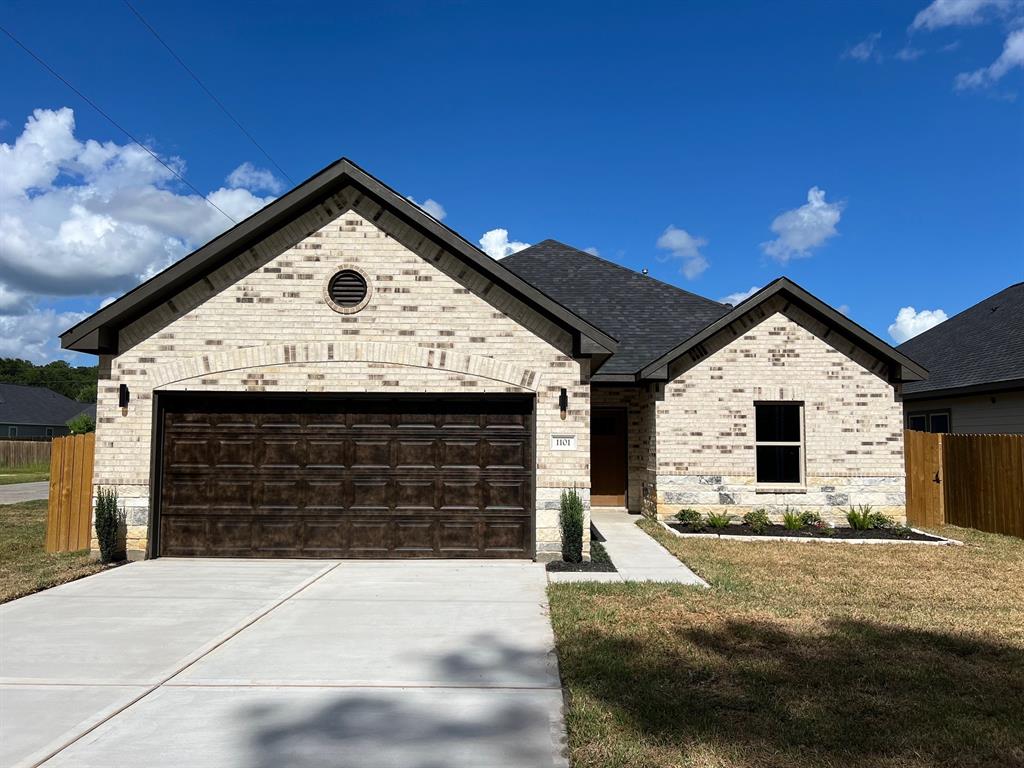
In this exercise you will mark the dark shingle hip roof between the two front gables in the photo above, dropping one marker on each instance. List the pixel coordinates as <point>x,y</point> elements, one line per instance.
<point>647,317</point>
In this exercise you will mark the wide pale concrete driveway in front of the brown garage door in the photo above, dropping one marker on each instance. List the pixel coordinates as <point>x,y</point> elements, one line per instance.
<point>236,663</point>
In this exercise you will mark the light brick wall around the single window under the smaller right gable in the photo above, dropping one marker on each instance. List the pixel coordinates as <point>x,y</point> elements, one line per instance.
<point>852,422</point>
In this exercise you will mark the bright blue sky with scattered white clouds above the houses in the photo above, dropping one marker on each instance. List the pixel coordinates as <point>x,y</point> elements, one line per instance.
<point>884,142</point>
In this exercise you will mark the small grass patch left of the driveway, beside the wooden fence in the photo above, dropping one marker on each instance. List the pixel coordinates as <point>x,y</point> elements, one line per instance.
<point>25,566</point>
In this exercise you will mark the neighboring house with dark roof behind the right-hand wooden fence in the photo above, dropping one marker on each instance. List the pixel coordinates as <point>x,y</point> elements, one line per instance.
<point>976,370</point>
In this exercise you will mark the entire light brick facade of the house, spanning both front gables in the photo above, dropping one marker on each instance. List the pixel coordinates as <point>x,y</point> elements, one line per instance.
<point>262,323</point>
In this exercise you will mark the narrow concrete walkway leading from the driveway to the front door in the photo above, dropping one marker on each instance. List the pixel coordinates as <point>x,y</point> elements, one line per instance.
<point>636,556</point>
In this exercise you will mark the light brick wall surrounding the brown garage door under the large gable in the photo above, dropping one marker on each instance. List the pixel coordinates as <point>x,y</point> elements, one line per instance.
<point>261,324</point>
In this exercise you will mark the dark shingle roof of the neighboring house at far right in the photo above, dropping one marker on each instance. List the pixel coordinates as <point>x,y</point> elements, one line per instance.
<point>985,345</point>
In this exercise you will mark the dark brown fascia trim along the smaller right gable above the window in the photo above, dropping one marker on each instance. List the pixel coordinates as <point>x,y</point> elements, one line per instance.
<point>902,367</point>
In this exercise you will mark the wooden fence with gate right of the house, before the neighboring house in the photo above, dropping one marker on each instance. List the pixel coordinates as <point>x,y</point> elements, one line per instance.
<point>973,481</point>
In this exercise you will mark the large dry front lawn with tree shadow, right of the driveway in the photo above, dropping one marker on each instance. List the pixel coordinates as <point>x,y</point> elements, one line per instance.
<point>801,655</point>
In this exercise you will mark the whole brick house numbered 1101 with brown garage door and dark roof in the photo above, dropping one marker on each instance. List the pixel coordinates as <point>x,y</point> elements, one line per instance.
<point>342,375</point>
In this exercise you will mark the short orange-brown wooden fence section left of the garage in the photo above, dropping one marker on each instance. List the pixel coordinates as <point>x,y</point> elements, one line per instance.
<point>69,519</point>
